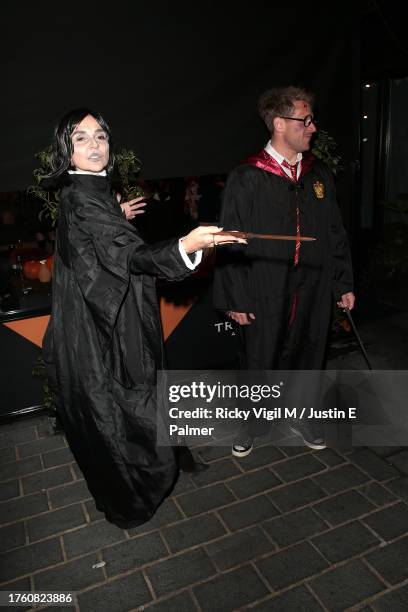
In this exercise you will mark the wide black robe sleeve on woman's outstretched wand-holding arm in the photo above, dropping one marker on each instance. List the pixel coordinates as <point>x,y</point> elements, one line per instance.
<point>104,251</point>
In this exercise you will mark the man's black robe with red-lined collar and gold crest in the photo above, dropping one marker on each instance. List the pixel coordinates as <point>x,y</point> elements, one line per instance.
<point>261,278</point>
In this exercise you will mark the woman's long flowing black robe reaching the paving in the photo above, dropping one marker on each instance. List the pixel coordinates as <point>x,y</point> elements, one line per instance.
<point>102,348</point>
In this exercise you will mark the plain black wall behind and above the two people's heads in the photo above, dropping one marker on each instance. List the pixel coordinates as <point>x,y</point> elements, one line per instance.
<point>177,81</point>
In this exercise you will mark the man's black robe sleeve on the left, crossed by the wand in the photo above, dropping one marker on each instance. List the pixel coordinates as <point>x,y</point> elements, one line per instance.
<point>231,290</point>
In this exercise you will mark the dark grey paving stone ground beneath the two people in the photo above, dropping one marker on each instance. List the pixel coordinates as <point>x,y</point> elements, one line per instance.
<point>284,529</point>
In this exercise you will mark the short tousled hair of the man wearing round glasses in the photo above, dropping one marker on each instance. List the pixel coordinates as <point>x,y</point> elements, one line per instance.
<point>278,102</point>
